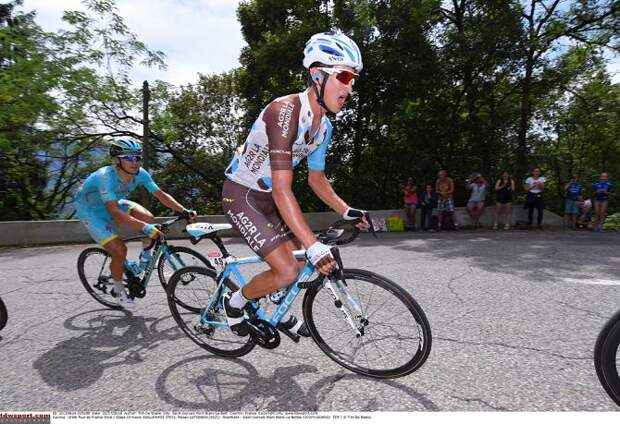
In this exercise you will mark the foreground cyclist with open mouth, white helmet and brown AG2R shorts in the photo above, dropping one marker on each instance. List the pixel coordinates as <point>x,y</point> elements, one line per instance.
<point>257,196</point>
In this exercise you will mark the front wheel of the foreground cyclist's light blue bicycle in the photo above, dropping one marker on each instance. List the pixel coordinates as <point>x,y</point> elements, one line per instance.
<point>395,336</point>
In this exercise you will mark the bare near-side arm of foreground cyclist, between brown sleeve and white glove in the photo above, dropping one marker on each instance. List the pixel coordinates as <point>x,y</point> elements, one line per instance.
<point>288,206</point>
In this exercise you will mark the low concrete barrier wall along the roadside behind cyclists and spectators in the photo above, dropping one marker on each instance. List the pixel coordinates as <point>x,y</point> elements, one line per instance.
<point>16,233</point>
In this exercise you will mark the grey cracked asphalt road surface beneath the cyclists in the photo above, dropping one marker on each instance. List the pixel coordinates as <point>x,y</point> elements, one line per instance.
<point>514,317</point>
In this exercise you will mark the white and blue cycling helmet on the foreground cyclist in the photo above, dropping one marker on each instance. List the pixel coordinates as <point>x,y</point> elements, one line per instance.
<point>332,48</point>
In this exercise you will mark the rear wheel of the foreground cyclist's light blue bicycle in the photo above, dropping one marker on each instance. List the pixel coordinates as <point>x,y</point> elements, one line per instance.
<point>196,286</point>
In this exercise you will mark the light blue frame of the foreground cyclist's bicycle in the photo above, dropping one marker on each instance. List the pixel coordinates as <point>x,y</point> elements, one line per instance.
<point>231,268</point>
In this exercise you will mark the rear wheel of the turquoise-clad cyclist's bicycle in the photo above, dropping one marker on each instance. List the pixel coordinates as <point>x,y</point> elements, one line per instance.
<point>94,272</point>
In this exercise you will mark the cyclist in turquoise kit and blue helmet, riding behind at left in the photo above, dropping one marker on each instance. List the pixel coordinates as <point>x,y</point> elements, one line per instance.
<point>101,203</point>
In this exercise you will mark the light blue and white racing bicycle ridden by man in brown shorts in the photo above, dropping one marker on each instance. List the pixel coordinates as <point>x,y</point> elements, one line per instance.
<point>361,320</point>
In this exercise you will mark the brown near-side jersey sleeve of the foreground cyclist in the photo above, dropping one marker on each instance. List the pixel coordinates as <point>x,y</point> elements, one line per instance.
<point>281,118</point>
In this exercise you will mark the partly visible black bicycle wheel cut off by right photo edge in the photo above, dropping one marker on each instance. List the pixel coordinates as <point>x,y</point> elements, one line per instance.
<point>607,357</point>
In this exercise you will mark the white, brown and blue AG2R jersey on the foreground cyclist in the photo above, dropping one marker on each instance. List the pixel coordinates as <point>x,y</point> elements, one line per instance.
<point>279,139</point>
